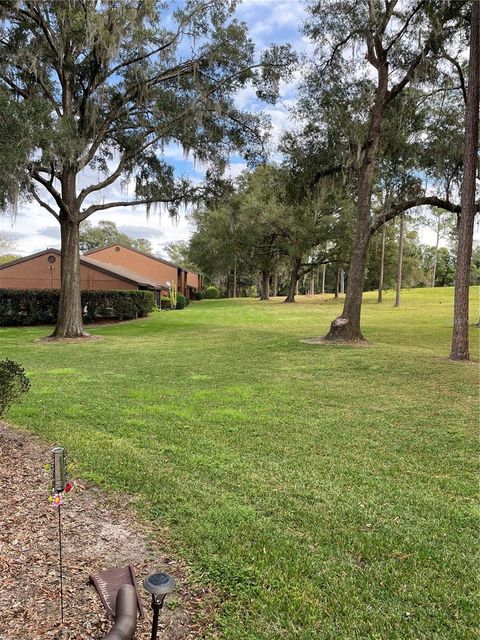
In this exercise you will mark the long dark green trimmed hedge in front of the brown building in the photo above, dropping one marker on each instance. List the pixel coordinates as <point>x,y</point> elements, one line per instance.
<point>40,306</point>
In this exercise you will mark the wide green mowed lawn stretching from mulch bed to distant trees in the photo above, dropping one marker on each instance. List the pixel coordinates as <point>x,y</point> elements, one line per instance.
<point>325,491</point>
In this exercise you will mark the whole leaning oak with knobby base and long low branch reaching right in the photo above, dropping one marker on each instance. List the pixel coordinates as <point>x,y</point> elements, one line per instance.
<point>368,54</point>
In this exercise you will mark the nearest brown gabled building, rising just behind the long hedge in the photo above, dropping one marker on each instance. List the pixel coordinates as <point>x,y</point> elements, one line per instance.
<point>42,271</point>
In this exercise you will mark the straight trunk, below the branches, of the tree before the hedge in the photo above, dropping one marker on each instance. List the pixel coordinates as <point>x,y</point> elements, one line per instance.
<point>69,319</point>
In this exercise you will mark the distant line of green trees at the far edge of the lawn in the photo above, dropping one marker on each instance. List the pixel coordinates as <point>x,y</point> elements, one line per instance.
<point>254,243</point>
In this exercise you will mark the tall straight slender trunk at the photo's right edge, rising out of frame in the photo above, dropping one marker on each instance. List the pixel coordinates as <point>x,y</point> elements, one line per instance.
<point>459,350</point>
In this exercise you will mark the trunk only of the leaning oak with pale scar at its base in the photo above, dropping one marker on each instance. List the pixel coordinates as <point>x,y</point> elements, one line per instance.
<point>347,326</point>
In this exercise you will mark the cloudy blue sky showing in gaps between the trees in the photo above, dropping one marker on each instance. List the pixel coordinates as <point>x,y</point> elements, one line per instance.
<point>269,22</point>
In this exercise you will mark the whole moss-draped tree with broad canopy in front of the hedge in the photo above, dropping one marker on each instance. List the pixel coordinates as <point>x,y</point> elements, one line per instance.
<point>93,91</point>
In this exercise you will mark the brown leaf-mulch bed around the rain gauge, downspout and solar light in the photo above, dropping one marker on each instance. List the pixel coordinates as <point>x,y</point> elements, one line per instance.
<point>99,532</point>
